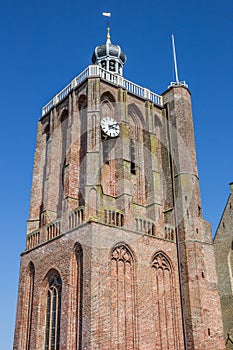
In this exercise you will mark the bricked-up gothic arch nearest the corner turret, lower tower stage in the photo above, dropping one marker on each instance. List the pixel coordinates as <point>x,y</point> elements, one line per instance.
<point>164,303</point>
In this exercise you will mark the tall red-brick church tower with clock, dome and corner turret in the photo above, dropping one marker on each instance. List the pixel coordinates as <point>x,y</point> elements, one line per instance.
<point>117,253</point>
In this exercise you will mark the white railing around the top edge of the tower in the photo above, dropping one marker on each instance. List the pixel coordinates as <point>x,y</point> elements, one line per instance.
<point>113,78</point>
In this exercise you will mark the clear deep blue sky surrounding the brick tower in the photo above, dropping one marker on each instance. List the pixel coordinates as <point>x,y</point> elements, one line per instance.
<point>45,44</point>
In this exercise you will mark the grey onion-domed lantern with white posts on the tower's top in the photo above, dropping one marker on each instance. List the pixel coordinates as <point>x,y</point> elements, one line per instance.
<point>109,56</point>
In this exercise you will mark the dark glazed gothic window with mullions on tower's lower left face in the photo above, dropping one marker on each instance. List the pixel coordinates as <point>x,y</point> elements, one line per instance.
<point>53,313</point>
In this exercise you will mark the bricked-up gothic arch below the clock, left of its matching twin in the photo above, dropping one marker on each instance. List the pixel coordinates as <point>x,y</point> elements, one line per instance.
<point>123,329</point>
